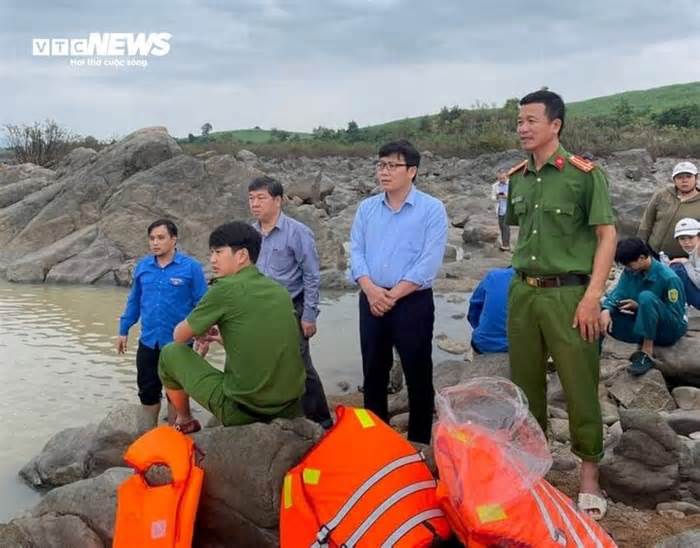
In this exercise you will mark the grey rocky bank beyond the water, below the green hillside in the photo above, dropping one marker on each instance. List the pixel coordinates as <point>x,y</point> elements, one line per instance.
<point>85,221</point>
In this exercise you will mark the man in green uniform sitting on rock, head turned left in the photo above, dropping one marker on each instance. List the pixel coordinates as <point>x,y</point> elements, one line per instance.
<point>253,317</point>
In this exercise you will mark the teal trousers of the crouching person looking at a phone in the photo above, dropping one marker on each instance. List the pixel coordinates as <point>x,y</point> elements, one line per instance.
<point>653,320</point>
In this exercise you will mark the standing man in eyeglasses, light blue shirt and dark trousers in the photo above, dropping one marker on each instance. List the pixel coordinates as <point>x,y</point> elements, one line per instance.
<point>397,244</point>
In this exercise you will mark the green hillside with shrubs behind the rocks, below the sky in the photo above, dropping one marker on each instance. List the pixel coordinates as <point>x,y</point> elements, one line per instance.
<point>663,120</point>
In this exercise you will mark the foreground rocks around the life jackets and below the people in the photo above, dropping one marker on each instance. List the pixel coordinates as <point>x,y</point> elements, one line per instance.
<point>651,468</point>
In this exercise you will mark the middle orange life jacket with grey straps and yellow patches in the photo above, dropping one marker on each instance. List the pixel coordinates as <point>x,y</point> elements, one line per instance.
<point>362,485</point>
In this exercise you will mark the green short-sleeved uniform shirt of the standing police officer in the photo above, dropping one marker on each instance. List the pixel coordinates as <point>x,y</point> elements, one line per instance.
<point>557,210</point>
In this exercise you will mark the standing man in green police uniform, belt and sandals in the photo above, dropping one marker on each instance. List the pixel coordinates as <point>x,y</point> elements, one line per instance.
<point>565,250</point>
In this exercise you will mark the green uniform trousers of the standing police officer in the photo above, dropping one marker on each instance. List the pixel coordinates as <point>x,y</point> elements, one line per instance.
<point>539,326</point>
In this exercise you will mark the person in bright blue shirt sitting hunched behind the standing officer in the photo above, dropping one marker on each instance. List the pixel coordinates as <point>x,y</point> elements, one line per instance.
<point>488,311</point>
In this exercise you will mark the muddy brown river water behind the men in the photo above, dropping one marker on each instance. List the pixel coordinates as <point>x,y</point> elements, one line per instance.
<point>60,370</point>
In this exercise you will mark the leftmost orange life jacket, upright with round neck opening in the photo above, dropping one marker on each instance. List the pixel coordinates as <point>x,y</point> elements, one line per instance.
<point>163,515</point>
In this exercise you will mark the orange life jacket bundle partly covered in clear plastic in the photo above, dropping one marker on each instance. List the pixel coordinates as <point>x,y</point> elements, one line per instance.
<point>492,455</point>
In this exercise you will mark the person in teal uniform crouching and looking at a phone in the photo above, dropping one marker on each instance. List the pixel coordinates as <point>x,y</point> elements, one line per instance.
<point>646,307</point>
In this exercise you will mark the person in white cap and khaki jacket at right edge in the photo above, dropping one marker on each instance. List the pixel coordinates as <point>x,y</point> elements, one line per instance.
<point>668,206</point>
